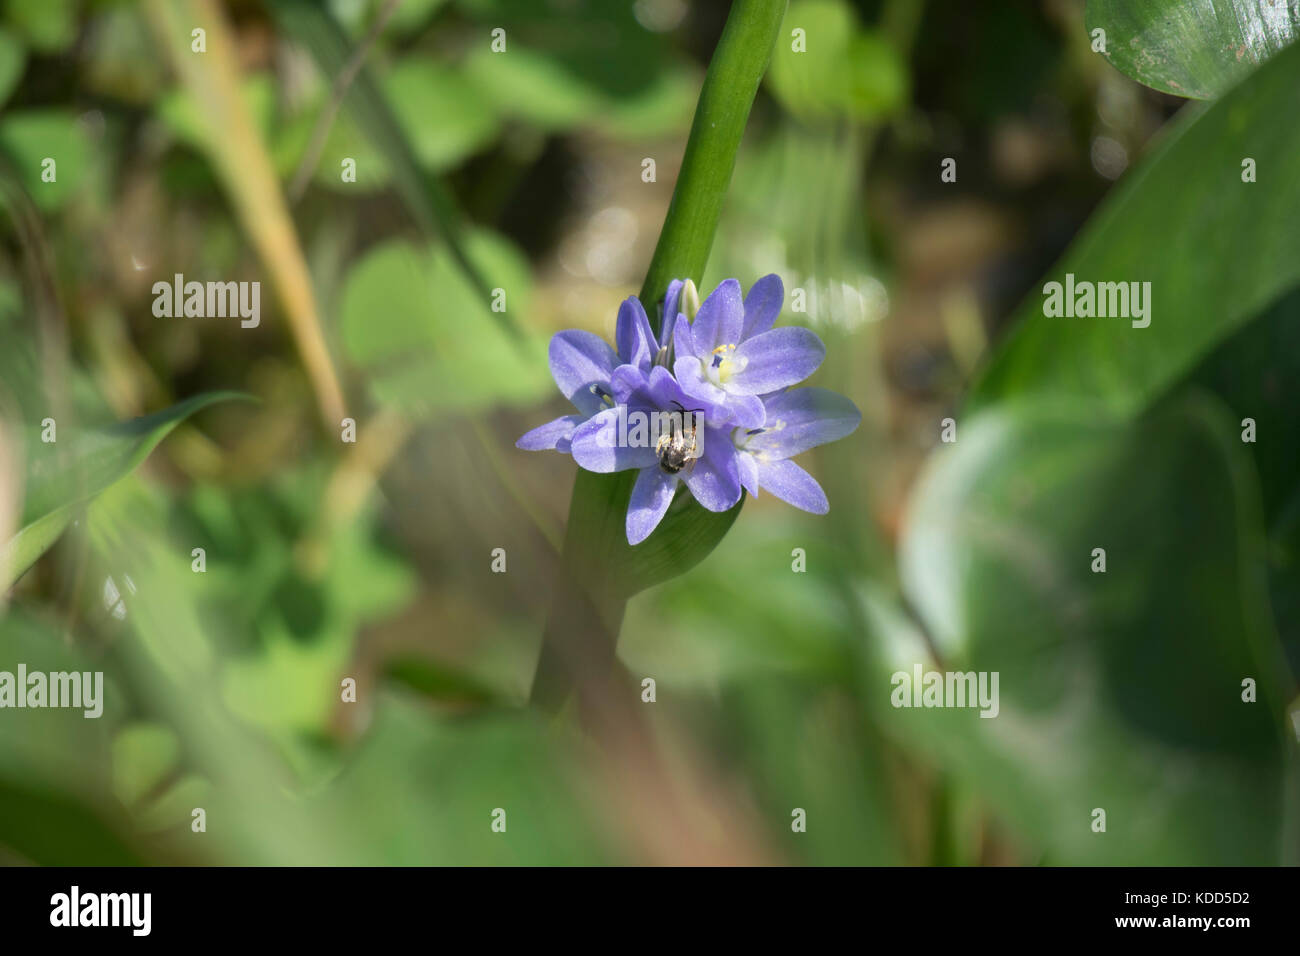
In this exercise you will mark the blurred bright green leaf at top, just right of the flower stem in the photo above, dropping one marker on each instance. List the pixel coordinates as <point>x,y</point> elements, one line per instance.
<point>838,70</point>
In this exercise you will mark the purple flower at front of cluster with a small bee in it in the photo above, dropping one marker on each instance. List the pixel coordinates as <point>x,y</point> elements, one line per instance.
<point>597,445</point>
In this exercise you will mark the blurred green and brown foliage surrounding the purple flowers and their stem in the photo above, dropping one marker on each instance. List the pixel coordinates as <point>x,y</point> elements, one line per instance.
<point>523,171</point>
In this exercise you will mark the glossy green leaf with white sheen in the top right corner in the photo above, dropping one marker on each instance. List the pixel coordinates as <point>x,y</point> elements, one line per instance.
<point>1197,49</point>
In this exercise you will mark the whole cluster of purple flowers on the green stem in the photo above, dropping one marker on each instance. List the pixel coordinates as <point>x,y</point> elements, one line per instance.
<point>730,366</point>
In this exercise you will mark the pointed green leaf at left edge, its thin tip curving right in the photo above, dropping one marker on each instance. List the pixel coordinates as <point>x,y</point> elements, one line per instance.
<point>64,474</point>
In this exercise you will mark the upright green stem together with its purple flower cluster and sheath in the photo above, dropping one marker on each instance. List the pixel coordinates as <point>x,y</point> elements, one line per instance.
<point>609,551</point>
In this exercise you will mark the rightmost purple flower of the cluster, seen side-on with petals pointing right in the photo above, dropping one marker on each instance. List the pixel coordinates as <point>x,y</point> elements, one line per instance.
<point>796,422</point>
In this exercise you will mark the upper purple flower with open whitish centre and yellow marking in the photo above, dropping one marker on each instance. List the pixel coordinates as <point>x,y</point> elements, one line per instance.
<point>731,354</point>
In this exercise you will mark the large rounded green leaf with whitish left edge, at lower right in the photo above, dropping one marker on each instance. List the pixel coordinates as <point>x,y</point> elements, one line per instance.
<point>1120,689</point>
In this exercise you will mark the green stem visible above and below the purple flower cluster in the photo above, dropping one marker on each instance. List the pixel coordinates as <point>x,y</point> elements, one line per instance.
<point>588,604</point>
